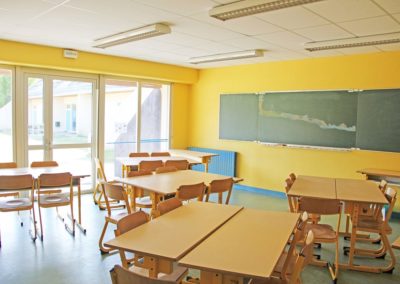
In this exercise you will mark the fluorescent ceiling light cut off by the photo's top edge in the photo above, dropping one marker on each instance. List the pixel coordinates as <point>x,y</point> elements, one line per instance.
<point>250,7</point>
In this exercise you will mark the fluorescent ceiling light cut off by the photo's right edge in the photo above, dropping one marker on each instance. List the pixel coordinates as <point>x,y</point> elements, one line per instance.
<point>353,42</point>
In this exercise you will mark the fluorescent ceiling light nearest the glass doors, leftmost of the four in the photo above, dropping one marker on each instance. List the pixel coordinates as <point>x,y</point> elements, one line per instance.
<point>132,35</point>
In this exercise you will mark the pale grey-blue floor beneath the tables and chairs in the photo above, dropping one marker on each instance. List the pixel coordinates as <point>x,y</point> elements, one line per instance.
<point>62,258</point>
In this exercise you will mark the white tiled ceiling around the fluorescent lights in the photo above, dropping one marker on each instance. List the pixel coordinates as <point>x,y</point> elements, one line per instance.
<point>77,23</point>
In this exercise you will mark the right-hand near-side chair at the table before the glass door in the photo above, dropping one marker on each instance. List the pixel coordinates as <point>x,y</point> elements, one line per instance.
<point>46,200</point>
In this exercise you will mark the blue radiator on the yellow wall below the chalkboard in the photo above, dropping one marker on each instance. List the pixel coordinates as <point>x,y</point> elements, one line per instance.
<point>223,164</point>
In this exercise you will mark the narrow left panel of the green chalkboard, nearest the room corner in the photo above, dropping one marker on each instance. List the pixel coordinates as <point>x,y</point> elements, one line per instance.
<point>238,118</point>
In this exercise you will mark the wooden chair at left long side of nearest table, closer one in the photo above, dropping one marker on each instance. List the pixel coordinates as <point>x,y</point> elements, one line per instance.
<point>125,224</point>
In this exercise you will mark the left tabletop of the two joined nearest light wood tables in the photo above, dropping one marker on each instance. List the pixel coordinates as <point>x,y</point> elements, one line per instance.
<point>174,234</point>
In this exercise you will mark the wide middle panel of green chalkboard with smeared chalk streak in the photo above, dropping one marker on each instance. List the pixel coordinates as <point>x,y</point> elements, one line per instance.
<point>316,118</point>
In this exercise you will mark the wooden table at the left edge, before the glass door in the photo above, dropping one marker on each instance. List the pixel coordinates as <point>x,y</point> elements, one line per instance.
<point>76,173</point>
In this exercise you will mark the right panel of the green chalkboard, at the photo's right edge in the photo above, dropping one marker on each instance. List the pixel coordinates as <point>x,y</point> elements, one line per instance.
<point>378,126</point>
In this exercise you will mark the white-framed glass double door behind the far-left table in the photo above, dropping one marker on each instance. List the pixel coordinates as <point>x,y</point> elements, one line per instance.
<point>60,119</point>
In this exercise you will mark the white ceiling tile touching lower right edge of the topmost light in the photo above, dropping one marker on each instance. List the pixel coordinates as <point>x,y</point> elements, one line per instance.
<point>293,18</point>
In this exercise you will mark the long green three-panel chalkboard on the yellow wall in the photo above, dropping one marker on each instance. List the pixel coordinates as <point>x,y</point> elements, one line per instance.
<point>367,119</point>
